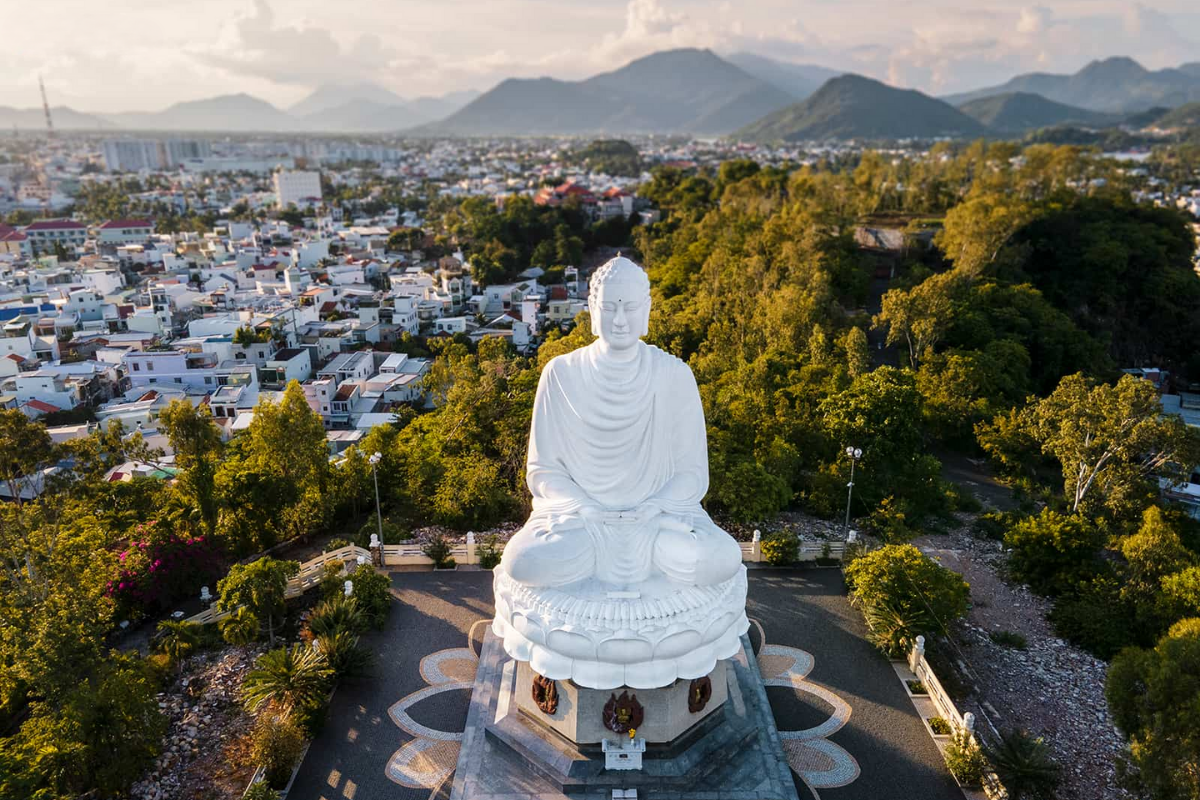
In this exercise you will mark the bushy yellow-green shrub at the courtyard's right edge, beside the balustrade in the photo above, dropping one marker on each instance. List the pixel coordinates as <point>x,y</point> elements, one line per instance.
<point>904,593</point>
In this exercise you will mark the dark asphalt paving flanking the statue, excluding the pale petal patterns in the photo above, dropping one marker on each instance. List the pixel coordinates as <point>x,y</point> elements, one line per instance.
<point>801,609</point>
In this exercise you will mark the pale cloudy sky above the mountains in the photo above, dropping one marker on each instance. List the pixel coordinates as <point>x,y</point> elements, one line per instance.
<point>122,56</point>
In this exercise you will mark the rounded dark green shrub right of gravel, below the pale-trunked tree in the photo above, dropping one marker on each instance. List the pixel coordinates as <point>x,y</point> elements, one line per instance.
<point>1054,552</point>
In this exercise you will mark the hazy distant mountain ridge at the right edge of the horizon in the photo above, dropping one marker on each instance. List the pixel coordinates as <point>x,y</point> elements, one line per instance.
<point>1118,85</point>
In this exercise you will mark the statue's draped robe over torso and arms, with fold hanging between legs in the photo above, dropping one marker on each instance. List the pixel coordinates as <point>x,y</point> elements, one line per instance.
<point>617,435</point>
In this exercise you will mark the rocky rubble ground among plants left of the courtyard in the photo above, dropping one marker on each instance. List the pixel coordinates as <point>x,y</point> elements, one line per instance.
<point>206,720</point>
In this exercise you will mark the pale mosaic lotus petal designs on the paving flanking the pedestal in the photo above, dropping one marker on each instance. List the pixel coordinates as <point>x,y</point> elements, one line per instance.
<point>429,760</point>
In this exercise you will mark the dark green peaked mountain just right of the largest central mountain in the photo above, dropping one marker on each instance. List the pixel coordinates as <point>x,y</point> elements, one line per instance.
<point>854,107</point>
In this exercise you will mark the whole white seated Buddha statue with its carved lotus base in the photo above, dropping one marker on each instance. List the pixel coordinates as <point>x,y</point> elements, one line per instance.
<point>619,564</point>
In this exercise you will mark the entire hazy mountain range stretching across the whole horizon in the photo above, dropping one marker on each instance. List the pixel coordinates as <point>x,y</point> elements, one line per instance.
<point>695,92</point>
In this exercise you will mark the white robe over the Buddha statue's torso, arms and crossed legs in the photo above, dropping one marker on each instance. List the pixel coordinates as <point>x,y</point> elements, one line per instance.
<point>619,436</point>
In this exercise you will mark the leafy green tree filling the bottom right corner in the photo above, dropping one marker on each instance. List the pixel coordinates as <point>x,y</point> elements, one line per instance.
<point>1154,696</point>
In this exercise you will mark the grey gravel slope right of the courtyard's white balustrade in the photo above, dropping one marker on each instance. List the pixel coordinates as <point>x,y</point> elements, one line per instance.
<point>1051,689</point>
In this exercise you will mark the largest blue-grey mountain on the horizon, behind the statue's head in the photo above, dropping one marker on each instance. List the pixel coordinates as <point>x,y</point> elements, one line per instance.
<point>675,92</point>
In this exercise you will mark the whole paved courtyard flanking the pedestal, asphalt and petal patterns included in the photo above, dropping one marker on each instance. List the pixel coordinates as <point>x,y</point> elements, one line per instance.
<point>849,730</point>
